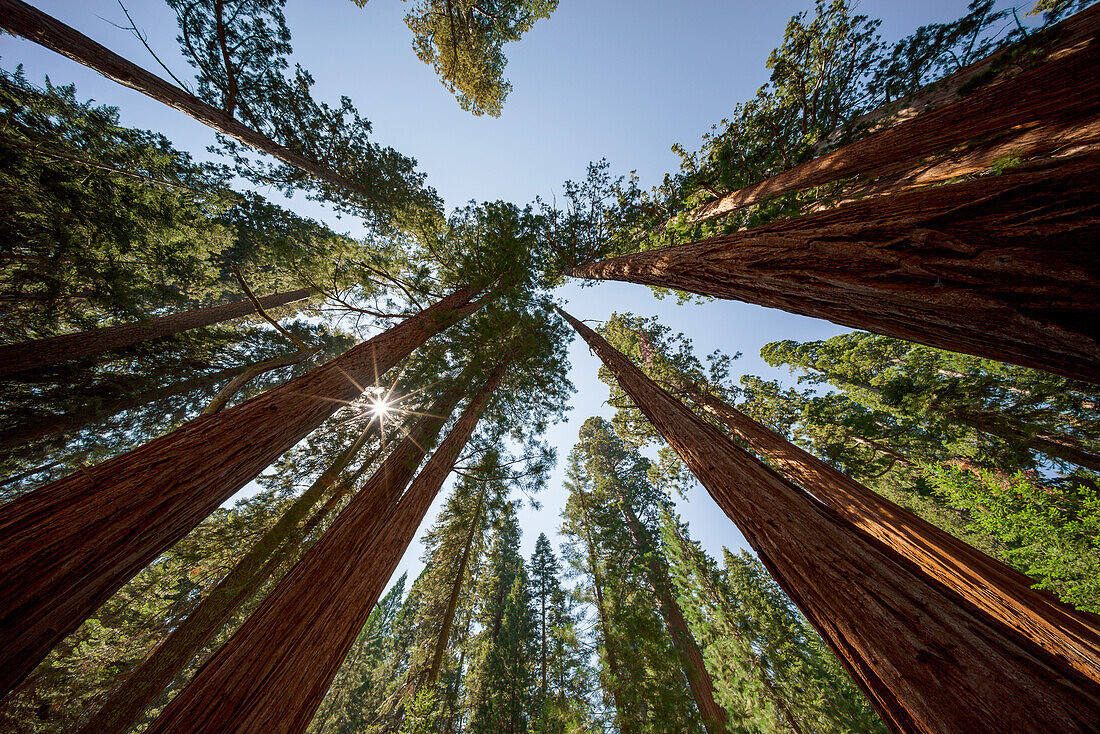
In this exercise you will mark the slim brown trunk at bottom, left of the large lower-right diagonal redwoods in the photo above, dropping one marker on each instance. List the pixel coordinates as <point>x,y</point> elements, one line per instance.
<point>699,680</point>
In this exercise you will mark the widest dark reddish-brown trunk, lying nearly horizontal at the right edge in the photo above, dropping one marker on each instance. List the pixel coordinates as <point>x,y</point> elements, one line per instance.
<point>1005,267</point>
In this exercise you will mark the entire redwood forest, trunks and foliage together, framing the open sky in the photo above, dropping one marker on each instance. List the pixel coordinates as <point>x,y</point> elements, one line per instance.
<point>174,331</point>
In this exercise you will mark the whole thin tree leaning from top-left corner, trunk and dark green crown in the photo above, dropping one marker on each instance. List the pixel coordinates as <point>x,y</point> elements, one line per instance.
<point>303,129</point>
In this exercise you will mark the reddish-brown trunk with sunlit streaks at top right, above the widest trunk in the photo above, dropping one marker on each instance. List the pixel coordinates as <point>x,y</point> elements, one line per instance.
<point>1036,113</point>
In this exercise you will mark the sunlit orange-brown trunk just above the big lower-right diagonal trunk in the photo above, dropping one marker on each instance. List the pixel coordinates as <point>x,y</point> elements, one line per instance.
<point>1004,594</point>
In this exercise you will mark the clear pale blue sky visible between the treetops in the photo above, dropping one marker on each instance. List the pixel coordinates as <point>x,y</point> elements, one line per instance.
<point>614,80</point>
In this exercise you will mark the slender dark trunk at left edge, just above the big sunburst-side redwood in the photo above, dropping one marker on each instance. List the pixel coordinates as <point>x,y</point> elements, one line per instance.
<point>59,425</point>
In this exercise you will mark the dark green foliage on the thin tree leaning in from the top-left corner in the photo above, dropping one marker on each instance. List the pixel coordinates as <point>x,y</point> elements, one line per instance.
<point>239,50</point>
